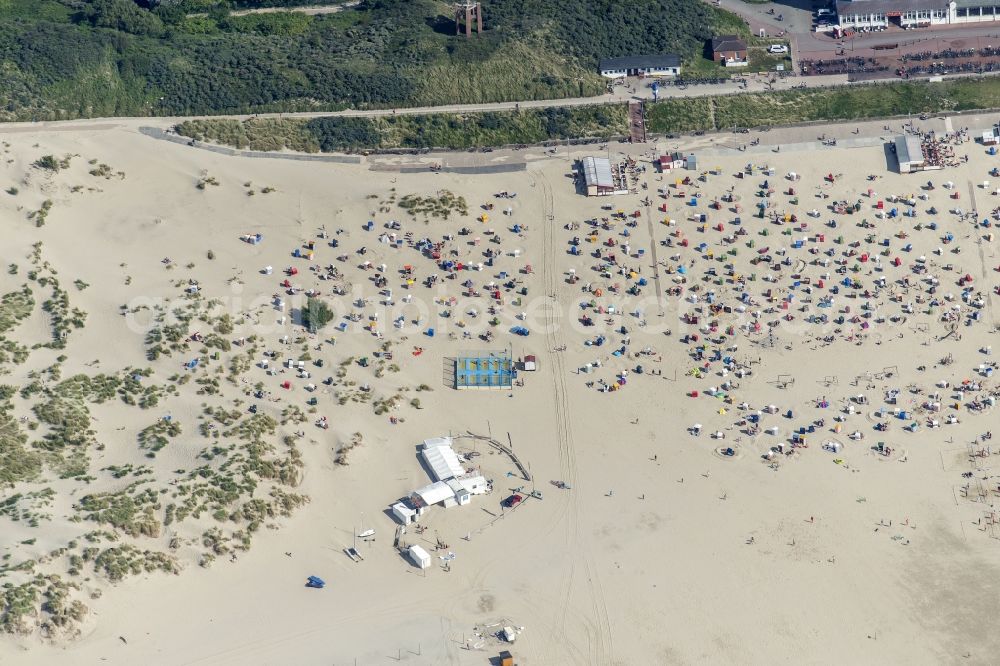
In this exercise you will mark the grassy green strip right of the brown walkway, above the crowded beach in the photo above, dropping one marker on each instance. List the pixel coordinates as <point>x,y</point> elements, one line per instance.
<point>846,103</point>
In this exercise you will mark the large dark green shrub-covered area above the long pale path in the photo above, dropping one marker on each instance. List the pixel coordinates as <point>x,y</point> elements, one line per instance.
<point>73,58</point>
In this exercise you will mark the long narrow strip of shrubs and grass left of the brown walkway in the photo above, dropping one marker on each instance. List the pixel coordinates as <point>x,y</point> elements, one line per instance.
<point>440,130</point>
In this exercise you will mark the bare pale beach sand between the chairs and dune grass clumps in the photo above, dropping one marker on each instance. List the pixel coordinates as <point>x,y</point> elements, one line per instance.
<point>661,550</point>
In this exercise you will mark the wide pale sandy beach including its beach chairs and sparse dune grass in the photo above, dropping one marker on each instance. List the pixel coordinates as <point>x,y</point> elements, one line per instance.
<point>778,531</point>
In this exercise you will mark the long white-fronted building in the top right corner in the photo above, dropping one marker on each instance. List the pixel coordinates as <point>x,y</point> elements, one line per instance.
<point>881,14</point>
